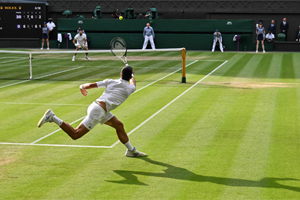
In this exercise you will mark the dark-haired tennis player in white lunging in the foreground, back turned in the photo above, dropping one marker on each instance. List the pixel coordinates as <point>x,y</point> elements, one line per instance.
<point>116,92</point>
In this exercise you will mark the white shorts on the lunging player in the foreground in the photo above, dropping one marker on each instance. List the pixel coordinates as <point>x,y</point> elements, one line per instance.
<point>96,114</point>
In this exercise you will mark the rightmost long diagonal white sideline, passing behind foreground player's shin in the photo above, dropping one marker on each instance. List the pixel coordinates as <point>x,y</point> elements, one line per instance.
<point>170,102</point>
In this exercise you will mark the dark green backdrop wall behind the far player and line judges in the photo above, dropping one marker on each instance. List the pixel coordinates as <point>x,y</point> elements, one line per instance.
<point>191,34</point>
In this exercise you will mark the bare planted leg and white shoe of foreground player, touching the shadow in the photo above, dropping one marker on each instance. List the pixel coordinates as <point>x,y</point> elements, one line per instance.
<point>123,137</point>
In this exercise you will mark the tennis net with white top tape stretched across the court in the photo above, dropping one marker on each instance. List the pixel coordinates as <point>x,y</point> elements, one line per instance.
<point>58,65</point>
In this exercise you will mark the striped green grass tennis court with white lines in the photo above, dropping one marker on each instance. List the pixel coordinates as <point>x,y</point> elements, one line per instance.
<point>232,133</point>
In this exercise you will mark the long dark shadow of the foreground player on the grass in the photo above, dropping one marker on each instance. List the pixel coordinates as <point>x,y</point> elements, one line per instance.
<point>184,174</point>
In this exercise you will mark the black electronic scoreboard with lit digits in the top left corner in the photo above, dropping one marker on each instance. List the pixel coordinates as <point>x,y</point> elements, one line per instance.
<point>22,20</point>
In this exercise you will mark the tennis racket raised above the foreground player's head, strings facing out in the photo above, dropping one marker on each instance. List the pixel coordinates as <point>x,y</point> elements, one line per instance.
<point>118,48</point>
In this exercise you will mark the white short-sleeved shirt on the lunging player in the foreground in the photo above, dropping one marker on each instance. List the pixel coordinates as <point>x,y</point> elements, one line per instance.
<point>116,92</point>
